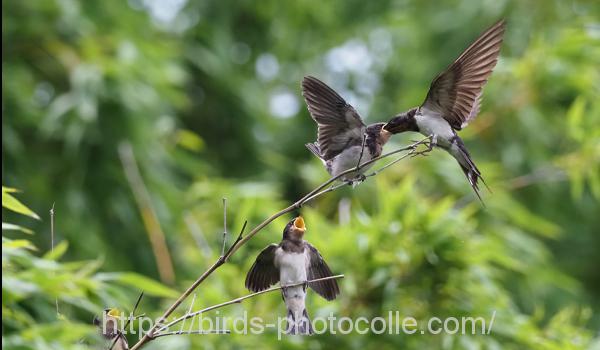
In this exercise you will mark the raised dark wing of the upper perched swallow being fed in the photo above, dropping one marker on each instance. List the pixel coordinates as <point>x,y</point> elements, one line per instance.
<point>339,123</point>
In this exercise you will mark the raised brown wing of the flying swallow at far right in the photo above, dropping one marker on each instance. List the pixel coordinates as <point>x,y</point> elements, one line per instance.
<point>456,92</point>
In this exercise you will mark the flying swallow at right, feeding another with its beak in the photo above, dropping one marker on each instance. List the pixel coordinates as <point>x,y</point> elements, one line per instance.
<point>454,99</point>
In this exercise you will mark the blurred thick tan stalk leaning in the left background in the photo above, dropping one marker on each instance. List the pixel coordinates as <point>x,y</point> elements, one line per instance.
<point>149,217</point>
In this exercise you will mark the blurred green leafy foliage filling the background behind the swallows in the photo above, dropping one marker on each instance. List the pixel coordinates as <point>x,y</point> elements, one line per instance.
<point>207,93</point>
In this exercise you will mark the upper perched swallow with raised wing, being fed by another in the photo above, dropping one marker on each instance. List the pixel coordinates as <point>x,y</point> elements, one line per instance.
<point>342,138</point>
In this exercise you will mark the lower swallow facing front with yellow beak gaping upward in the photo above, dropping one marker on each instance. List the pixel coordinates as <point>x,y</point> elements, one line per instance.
<point>293,260</point>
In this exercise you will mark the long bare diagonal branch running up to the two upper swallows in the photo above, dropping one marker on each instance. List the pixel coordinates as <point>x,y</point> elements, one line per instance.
<point>241,240</point>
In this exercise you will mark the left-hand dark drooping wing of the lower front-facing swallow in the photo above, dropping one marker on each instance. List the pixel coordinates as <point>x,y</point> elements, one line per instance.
<point>263,272</point>
